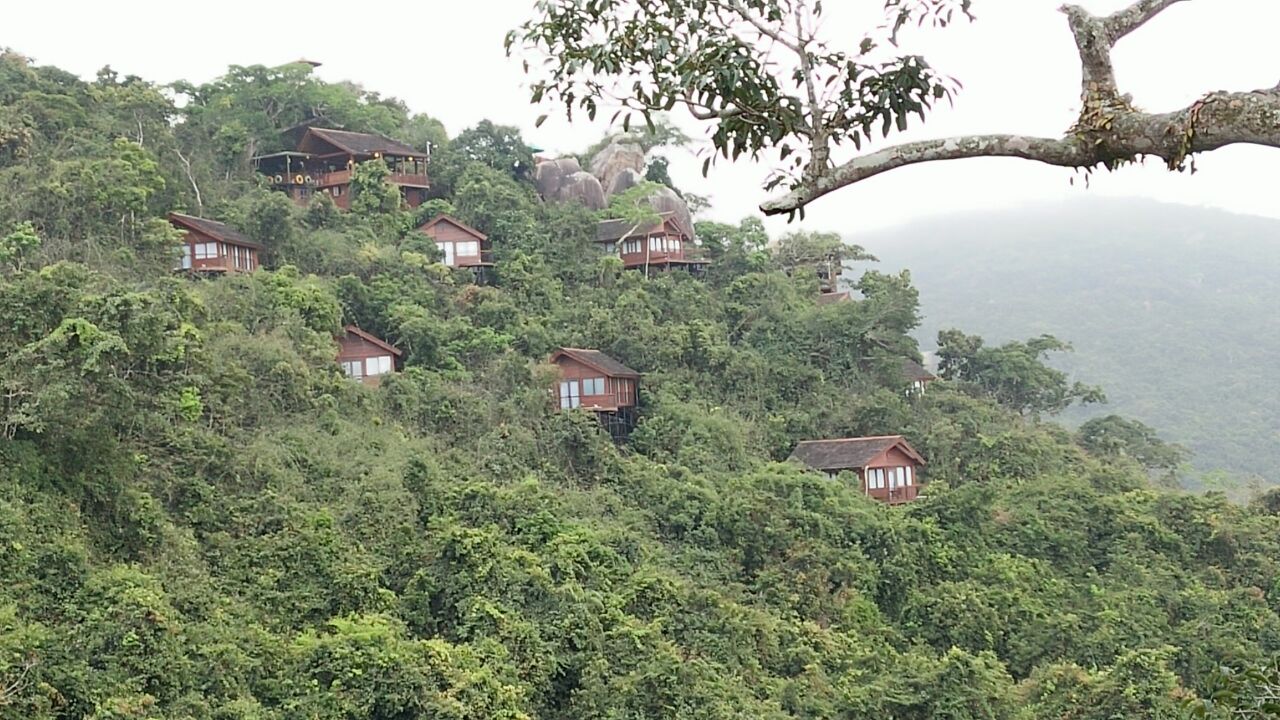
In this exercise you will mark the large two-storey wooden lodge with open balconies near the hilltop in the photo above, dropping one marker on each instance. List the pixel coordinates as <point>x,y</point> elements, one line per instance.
<point>324,161</point>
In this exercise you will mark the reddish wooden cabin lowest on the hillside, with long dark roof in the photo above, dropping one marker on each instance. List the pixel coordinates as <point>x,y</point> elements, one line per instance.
<point>888,467</point>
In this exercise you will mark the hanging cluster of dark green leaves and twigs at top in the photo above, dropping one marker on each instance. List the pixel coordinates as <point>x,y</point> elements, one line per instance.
<point>764,71</point>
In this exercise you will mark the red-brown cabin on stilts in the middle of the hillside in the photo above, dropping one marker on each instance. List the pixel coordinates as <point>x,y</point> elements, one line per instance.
<point>593,381</point>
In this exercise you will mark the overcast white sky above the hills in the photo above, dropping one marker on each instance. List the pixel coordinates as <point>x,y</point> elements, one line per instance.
<point>446,58</point>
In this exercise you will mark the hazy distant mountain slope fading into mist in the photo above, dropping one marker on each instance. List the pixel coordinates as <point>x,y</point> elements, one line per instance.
<point>1169,308</point>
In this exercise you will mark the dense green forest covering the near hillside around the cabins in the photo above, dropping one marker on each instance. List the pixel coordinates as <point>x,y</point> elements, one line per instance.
<point>202,518</point>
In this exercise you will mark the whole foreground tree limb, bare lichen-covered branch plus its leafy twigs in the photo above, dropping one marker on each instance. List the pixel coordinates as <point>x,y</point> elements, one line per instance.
<point>720,61</point>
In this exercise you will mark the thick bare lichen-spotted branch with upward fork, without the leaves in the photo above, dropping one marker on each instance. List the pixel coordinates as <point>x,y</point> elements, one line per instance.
<point>1110,131</point>
